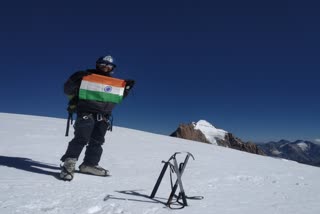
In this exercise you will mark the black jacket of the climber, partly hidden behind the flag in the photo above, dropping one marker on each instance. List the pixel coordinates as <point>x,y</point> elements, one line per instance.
<point>71,88</point>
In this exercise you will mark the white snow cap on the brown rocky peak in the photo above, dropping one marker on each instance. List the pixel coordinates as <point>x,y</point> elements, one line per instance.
<point>210,132</point>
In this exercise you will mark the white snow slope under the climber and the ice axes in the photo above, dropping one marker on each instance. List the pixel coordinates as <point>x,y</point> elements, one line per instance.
<point>229,180</point>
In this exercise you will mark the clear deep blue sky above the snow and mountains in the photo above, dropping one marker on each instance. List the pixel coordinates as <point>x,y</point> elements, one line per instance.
<point>249,67</point>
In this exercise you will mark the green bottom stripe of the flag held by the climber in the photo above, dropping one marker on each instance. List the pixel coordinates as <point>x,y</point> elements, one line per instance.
<point>99,96</point>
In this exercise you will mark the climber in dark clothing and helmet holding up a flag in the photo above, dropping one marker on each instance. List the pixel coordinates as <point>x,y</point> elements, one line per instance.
<point>92,123</point>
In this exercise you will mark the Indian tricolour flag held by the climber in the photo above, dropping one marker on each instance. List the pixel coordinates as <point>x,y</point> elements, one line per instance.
<point>101,88</point>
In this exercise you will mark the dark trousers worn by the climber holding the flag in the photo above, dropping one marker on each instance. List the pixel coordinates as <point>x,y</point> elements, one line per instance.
<point>88,131</point>
